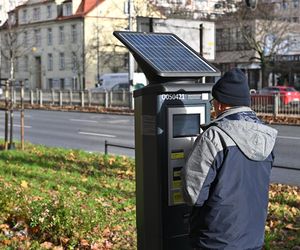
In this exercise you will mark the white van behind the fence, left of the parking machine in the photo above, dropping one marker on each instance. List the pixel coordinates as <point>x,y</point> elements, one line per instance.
<point>108,81</point>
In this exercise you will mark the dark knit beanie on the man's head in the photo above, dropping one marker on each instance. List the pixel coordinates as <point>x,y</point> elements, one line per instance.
<point>232,89</point>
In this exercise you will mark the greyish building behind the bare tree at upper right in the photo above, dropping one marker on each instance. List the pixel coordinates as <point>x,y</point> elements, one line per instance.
<point>267,49</point>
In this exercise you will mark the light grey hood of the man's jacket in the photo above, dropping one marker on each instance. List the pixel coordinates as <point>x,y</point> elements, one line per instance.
<point>253,138</point>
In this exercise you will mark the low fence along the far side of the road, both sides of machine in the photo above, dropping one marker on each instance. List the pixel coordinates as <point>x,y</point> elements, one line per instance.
<point>276,105</point>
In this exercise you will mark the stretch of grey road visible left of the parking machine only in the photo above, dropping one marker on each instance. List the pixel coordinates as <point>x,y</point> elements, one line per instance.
<point>77,130</point>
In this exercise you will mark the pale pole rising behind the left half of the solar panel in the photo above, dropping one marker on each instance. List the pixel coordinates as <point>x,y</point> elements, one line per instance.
<point>130,57</point>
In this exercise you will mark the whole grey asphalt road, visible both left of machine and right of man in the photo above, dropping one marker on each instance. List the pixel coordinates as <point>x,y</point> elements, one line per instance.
<point>88,131</point>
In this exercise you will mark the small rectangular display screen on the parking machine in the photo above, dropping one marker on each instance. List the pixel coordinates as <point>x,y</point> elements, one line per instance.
<point>186,125</point>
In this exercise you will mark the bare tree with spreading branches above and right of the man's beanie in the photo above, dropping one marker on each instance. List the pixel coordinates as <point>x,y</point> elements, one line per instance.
<point>265,32</point>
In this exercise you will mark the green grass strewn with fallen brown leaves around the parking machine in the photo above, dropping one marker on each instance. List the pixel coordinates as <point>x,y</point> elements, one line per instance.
<point>53,198</point>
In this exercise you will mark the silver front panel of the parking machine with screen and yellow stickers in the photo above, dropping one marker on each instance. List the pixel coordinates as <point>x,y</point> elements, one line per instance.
<point>183,129</point>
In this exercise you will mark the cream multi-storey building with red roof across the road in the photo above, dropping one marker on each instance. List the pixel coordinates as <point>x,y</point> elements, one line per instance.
<point>63,44</point>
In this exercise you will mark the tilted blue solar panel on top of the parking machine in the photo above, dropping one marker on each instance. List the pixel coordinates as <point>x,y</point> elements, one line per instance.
<point>166,53</point>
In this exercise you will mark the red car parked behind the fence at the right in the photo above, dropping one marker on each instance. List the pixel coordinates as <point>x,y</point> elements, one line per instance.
<point>288,95</point>
